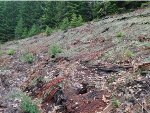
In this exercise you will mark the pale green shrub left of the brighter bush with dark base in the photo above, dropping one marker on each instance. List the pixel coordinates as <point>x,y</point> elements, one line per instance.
<point>27,57</point>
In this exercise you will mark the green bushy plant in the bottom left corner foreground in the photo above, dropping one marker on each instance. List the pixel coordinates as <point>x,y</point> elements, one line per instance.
<point>27,105</point>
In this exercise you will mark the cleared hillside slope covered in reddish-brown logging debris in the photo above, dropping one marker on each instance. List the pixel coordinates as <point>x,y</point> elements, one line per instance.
<point>104,67</point>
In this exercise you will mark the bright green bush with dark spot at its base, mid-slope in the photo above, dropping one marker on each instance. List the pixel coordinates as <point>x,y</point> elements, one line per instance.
<point>54,50</point>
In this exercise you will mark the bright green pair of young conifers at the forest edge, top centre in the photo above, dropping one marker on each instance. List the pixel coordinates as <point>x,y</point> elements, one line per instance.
<point>76,21</point>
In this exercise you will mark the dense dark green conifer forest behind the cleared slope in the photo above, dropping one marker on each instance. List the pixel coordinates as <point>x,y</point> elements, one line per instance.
<point>27,18</point>
